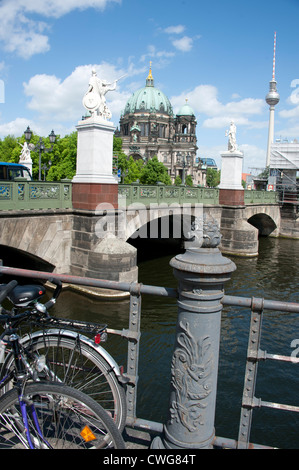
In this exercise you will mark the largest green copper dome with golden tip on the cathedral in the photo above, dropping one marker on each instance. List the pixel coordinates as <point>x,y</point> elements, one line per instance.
<point>149,99</point>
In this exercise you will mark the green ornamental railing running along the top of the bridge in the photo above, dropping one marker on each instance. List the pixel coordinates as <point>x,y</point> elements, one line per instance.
<point>27,195</point>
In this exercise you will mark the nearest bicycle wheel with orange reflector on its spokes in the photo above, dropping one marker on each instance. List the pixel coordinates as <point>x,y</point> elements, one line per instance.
<point>58,417</point>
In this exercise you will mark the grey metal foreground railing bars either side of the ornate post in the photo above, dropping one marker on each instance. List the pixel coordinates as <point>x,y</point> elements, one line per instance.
<point>254,354</point>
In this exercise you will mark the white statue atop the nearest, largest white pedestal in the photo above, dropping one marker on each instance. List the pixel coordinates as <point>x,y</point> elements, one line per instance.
<point>94,99</point>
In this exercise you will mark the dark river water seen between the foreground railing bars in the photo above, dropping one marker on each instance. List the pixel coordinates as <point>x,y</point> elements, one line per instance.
<point>274,274</point>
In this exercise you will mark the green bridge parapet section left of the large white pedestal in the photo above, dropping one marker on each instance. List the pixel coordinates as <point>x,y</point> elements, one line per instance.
<point>22,194</point>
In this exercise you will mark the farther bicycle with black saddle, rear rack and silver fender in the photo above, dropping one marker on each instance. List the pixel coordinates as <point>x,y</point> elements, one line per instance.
<point>70,349</point>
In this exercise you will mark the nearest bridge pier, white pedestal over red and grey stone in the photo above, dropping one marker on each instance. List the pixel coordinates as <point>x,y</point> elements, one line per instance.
<point>96,252</point>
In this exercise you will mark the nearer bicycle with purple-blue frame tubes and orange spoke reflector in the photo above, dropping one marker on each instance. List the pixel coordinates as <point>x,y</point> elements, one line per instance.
<point>39,415</point>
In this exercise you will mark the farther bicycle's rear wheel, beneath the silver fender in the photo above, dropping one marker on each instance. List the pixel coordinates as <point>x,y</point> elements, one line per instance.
<point>74,363</point>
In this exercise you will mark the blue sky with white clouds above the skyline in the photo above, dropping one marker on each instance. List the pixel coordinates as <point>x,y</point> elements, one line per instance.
<point>217,54</point>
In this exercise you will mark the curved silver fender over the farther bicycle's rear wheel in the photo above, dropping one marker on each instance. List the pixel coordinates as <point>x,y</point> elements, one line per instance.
<point>72,334</point>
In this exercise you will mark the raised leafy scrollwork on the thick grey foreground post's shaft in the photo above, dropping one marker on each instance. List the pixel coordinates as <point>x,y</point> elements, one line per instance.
<point>191,369</point>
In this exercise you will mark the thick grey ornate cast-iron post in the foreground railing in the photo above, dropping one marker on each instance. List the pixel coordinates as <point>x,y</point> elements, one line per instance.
<point>201,272</point>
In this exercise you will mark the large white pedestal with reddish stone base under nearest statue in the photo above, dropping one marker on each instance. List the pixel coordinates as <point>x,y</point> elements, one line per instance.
<point>94,182</point>
